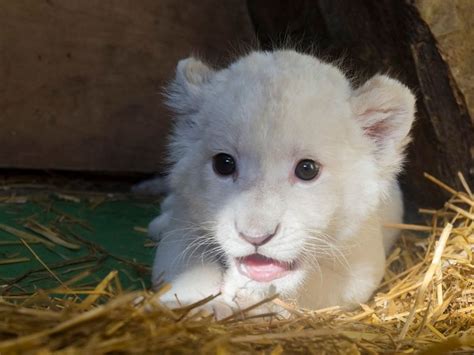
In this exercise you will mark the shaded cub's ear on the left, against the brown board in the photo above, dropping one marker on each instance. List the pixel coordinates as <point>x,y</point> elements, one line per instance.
<point>184,93</point>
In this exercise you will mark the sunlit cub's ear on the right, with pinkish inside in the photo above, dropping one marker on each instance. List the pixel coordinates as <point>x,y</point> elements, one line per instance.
<point>385,109</point>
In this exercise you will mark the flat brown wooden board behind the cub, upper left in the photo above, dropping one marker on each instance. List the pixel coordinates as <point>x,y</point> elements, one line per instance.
<point>80,81</point>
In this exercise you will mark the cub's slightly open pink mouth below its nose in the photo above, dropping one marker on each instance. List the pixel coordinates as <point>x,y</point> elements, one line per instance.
<point>262,269</point>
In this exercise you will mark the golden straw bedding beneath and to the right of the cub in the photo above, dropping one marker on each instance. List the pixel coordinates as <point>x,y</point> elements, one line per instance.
<point>424,305</point>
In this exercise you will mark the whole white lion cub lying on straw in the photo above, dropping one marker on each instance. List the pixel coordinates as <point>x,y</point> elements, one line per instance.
<point>282,177</point>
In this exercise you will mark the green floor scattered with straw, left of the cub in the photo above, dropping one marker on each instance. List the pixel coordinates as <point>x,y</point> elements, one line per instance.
<point>109,234</point>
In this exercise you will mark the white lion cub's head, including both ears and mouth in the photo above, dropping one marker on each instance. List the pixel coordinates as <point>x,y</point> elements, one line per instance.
<point>278,158</point>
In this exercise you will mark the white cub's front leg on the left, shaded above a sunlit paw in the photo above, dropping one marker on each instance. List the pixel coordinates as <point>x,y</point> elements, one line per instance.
<point>184,258</point>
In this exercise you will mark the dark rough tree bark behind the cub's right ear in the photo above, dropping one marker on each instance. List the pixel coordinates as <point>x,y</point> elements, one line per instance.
<point>385,36</point>
